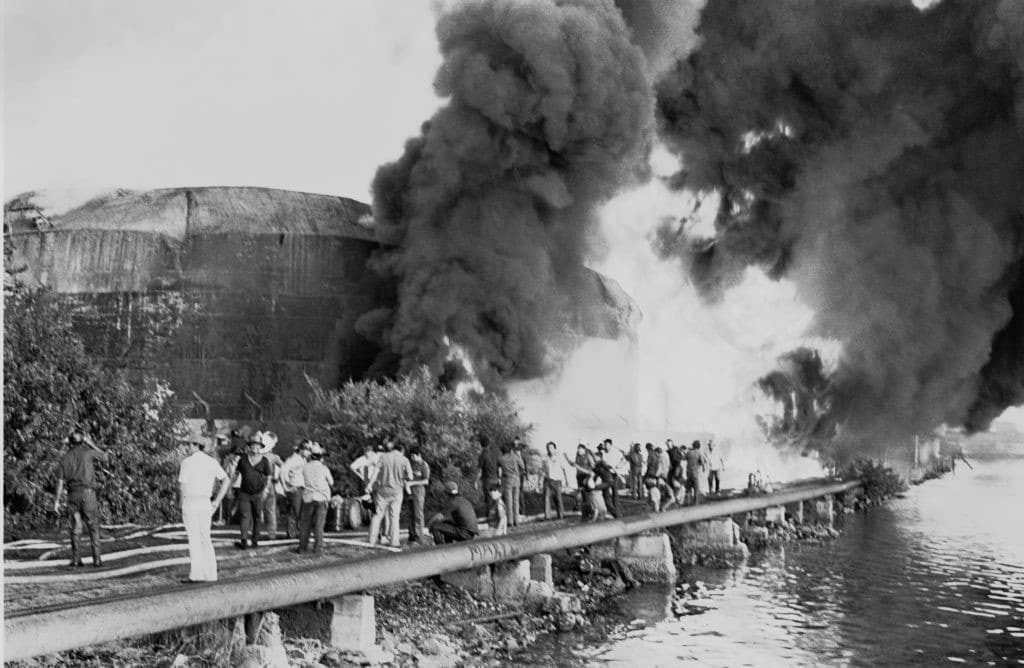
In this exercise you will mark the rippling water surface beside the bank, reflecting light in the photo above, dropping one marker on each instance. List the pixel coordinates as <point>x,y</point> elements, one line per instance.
<point>936,578</point>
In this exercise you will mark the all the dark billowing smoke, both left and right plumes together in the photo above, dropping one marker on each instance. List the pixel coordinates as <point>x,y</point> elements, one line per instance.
<point>869,153</point>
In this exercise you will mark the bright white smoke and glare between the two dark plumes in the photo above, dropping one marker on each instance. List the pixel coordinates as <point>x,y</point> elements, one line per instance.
<point>696,365</point>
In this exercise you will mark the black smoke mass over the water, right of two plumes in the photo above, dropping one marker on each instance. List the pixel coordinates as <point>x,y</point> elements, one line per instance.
<point>874,154</point>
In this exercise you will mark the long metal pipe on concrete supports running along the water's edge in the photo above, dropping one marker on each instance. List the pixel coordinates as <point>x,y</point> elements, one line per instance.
<point>34,634</point>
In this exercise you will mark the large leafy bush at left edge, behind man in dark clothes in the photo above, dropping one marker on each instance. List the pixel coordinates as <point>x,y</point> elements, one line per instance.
<point>52,388</point>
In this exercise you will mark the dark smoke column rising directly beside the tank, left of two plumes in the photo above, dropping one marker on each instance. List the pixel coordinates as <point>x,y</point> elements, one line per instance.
<point>491,211</point>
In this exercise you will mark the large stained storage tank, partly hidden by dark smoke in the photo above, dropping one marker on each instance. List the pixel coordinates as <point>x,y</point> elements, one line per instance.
<point>229,290</point>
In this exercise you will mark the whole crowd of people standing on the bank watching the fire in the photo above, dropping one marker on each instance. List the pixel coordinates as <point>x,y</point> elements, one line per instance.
<point>254,483</point>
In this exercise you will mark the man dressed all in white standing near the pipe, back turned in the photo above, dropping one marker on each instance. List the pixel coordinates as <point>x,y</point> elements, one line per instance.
<point>198,478</point>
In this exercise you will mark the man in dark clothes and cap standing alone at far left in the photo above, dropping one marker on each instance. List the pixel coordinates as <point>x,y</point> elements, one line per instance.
<point>78,472</point>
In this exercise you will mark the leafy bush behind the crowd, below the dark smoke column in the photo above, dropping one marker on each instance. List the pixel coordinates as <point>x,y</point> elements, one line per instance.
<point>414,410</point>
